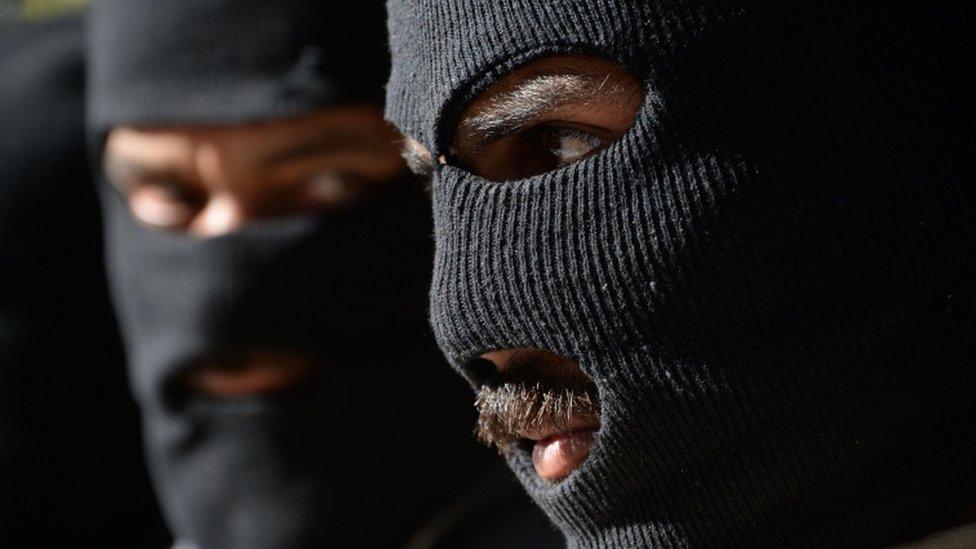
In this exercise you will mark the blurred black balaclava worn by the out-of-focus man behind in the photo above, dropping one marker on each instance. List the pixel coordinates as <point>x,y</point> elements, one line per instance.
<point>356,456</point>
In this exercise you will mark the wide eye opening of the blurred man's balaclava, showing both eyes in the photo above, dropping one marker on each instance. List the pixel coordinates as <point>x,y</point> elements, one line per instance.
<point>211,180</point>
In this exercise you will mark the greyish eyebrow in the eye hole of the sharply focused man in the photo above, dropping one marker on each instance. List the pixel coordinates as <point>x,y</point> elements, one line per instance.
<point>512,110</point>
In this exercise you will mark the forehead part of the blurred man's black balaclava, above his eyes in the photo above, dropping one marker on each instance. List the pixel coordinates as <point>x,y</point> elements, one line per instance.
<point>251,59</point>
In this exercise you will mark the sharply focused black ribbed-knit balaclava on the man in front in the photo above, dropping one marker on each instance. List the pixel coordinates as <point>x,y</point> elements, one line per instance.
<point>769,277</point>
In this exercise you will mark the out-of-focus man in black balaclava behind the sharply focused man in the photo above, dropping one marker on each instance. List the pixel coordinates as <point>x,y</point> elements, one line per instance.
<point>270,264</point>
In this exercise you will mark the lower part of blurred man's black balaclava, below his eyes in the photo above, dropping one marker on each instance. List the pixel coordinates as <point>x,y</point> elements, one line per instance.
<point>318,463</point>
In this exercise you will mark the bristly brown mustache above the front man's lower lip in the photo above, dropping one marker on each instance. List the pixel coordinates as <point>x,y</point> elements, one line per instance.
<point>528,398</point>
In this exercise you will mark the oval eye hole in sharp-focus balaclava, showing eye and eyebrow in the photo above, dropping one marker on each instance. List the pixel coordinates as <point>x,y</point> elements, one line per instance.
<point>550,113</point>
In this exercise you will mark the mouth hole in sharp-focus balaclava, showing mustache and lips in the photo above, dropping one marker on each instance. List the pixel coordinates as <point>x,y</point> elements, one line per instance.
<point>537,403</point>
